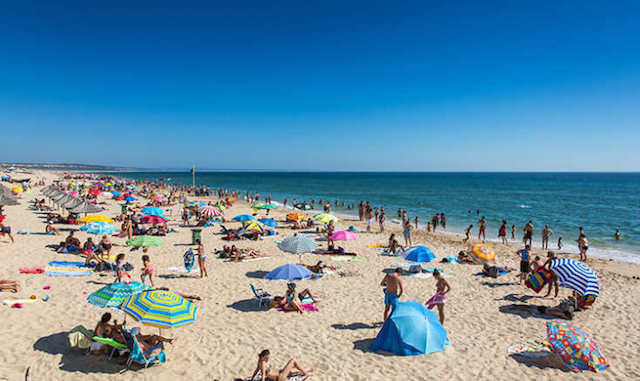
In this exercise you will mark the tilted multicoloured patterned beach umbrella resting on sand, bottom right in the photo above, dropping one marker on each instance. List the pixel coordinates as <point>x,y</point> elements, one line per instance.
<point>576,348</point>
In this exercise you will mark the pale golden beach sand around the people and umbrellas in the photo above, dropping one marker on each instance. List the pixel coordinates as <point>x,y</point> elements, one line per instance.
<point>231,330</point>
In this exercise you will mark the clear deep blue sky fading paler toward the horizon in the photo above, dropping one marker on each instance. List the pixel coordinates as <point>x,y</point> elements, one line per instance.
<point>370,85</point>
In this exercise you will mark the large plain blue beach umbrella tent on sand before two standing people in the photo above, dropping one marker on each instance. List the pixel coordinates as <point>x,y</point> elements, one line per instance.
<point>411,329</point>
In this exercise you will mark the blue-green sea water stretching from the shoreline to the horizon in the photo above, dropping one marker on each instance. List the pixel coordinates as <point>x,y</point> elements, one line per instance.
<point>599,202</point>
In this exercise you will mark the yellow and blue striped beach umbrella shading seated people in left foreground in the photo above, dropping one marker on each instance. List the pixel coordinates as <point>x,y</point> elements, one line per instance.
<point>162,309</point>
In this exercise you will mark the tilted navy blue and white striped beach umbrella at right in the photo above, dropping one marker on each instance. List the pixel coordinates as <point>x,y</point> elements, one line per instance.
<point>576,276</point>
